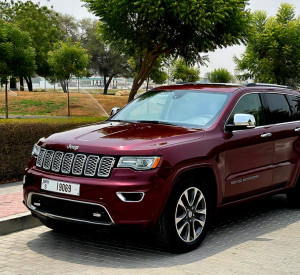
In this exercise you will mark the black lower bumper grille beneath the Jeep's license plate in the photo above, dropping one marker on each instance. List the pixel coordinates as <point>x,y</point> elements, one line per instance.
<point>68,209</point>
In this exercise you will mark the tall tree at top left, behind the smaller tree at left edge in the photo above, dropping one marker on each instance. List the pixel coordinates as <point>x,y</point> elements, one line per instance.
<point>42,26</point>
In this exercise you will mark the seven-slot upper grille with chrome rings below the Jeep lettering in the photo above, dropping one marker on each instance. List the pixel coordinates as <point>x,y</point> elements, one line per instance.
<point>77,164</point>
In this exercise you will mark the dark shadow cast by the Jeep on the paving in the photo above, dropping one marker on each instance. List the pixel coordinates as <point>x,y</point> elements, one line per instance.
<point>131,249</point>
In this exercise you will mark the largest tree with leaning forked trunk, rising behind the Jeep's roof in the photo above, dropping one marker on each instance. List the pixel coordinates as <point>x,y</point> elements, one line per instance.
<point>150,29</point>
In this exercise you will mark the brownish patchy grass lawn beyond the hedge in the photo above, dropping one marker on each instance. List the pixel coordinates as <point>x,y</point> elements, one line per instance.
<point>86,103</point>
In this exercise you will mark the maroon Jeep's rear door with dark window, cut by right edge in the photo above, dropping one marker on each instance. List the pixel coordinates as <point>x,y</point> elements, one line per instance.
<point>284,126</point>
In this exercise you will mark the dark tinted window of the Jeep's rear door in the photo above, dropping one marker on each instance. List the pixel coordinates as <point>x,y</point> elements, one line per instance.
<point>278,108</point>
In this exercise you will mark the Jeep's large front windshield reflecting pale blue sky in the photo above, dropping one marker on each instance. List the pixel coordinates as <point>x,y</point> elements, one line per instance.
<point>189,108</point>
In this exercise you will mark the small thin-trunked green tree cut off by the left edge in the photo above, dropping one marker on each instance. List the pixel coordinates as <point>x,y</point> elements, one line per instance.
<point>16,55</point>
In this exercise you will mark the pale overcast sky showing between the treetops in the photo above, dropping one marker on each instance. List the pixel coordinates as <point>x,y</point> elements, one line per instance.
<point>219,58</point>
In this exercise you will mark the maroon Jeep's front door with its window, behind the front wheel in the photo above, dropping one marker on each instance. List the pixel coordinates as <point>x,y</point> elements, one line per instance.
<point>249,153</point>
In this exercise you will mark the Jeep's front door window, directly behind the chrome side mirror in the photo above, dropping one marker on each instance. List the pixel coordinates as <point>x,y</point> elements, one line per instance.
<point>249,104</point>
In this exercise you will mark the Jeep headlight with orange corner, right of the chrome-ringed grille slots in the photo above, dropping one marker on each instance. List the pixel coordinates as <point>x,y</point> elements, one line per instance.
<point>139,163</point>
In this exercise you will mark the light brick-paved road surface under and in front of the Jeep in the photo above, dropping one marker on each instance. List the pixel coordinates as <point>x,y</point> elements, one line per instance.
<point>258,238</point>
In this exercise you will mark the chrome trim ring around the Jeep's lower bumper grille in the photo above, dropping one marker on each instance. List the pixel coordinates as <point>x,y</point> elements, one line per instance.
<point>33,208</point>
